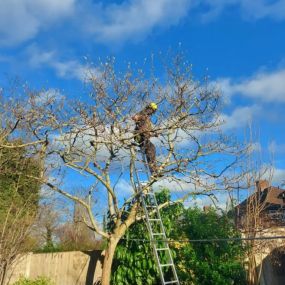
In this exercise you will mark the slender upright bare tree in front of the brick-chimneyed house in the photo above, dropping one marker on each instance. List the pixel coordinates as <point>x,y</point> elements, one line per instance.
<point>252,214</point>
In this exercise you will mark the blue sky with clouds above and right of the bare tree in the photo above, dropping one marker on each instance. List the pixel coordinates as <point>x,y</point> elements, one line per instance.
<point>240,43</point>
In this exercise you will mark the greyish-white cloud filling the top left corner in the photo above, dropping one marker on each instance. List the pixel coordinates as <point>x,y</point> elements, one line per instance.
<point>22,20</point>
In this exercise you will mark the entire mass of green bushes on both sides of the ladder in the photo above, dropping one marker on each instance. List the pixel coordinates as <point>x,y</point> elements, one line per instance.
<point>209,263</point>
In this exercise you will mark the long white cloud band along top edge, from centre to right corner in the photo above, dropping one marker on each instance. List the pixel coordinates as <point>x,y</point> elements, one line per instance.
<point>134,20</point>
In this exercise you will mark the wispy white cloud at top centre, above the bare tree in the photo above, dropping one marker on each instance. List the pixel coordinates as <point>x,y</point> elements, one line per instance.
<point>132,20</point>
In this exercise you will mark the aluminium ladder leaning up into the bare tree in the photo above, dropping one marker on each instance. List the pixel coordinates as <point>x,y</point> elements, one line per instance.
<point>158,239</point>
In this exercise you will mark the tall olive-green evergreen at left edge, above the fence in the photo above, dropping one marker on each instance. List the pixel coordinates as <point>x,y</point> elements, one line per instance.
<point>19,197</point>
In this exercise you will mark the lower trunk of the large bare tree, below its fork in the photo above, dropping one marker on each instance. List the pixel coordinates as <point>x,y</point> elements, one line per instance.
<point>108,260</point>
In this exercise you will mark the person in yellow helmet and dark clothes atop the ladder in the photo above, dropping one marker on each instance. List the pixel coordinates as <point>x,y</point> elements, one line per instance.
<point>143,132</point>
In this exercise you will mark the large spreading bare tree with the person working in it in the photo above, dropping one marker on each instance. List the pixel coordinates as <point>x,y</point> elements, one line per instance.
<point>94,137</point>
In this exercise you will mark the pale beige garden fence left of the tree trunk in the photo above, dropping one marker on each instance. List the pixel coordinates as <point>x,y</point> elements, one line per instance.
<point>64,268</point>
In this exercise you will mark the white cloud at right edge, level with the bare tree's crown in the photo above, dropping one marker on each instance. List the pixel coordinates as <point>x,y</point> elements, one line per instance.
<point>265,86</point>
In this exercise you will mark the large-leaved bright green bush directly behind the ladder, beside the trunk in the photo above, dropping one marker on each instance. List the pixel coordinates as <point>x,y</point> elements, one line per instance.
<point>134,262</point>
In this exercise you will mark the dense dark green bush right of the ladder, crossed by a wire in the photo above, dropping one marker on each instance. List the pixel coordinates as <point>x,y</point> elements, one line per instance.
<point>211,262</point>
